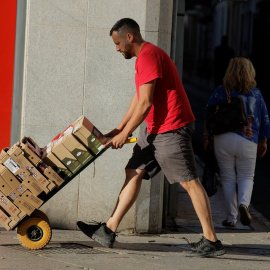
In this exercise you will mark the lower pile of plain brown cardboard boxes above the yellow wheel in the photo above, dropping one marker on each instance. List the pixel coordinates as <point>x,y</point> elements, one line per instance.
<point>22,184</point>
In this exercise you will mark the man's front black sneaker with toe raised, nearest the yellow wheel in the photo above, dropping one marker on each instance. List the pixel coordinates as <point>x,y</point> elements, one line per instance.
<point>98,232</point>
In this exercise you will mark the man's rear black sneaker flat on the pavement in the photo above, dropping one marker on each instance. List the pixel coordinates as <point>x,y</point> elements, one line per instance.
<point>206,248</point>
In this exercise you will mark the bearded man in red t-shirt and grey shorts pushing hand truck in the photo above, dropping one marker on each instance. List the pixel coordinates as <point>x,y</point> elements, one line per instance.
<point>166,144</point>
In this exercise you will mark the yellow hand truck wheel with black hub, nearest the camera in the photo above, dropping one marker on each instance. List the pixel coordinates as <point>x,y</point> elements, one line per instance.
<point>34,233</point>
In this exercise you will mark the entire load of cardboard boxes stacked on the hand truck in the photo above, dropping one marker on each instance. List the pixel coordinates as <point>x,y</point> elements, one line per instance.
<point>29,173</point>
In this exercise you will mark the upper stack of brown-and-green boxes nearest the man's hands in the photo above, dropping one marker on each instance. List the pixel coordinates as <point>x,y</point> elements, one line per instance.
<point>74,147</point>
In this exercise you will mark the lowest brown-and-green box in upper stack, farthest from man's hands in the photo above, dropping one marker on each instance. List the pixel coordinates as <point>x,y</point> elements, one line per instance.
<point>51,160</point>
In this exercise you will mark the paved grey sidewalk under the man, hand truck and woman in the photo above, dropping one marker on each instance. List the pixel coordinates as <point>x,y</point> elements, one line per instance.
<point>246,248</point>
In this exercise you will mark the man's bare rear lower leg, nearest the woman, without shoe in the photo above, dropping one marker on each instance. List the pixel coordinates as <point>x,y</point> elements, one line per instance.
<point>202,207</point>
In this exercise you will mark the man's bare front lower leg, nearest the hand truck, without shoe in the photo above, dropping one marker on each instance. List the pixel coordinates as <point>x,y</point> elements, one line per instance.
<point>127,197</point>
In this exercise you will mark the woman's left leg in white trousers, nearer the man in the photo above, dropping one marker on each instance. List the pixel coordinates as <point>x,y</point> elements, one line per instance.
<point>224,151</point>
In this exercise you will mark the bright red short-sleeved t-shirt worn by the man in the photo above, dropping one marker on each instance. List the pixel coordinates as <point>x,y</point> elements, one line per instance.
<point>171,108</point>
